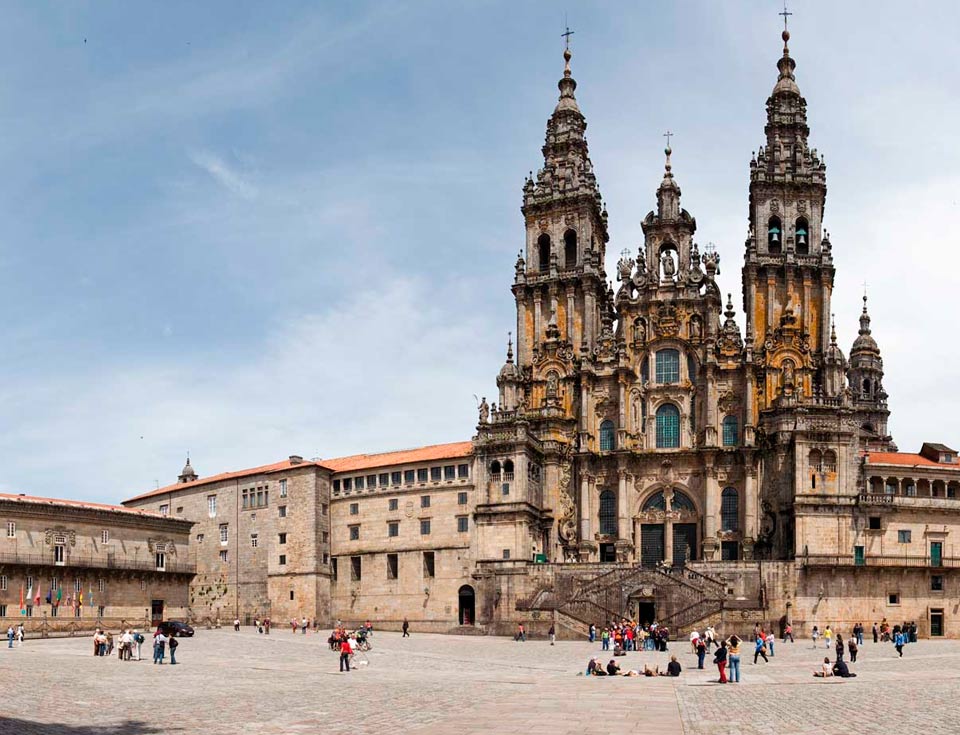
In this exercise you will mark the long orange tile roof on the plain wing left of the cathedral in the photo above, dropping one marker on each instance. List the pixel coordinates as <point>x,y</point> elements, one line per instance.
<point>352,463</point>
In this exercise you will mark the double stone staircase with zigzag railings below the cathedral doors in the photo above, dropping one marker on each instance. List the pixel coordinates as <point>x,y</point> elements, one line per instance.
<point>684,597</point>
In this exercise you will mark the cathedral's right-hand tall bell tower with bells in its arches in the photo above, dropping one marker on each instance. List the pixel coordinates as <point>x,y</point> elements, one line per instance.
<point>788,268</point>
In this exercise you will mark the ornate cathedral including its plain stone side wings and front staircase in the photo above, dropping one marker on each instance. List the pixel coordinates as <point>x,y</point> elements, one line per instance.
<point>645,455</point>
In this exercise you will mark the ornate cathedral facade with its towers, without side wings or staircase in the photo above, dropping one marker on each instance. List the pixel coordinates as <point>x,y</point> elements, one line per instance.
<point>641,424</point>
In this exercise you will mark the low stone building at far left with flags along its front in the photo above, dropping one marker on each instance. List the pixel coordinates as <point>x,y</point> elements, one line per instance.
<point>75,565</point>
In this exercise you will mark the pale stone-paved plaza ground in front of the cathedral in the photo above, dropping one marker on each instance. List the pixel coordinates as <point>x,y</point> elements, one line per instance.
<point>231,682</point>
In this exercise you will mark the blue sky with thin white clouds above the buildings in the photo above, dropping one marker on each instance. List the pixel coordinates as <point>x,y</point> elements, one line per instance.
<point>249,230</point>
